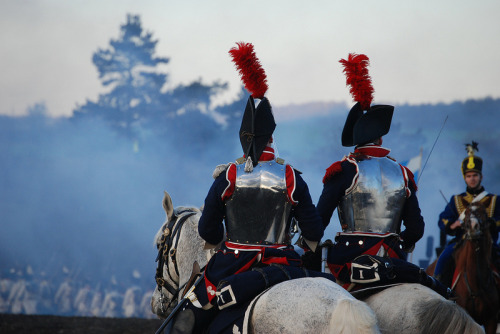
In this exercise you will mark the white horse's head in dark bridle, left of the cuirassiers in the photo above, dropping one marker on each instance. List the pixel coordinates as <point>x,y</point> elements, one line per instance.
<point>178,244</point>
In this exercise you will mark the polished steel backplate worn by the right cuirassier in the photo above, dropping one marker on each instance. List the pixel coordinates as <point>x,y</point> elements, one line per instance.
<point>376,202</point>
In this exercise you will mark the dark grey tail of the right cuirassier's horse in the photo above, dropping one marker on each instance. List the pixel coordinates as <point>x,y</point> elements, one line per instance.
<point>433,312</point>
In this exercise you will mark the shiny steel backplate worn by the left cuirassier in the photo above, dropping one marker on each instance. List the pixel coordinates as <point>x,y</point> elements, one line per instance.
<point>258,212</point>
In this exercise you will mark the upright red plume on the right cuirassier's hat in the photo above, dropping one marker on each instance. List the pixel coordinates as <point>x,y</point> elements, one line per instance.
<point>356,71</point>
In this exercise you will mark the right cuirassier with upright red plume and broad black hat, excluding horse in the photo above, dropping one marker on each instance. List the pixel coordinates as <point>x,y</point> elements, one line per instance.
<point>374,195</point>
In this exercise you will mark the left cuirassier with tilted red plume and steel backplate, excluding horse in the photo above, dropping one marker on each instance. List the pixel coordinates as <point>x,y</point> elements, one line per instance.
<point>256,198</point>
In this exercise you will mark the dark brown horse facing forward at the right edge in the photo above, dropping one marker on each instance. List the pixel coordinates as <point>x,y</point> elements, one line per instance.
<point>474,282</point>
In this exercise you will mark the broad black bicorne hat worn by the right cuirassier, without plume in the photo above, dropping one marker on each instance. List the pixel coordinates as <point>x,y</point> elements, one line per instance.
<point>361,127</point>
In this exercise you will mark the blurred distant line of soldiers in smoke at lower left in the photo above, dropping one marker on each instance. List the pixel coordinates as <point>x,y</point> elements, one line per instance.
<point>32,294</point>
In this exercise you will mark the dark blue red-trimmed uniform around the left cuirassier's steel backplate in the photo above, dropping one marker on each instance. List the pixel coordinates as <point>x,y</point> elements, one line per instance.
<point>235,258</point>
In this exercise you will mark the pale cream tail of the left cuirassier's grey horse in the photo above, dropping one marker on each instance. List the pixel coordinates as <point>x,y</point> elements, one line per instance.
<point>352,316</point>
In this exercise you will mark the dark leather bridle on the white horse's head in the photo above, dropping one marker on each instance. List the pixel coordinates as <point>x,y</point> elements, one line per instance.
<point>167,249</point>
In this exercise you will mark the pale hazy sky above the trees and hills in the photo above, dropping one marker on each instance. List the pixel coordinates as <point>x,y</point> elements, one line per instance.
<point>420,51</point>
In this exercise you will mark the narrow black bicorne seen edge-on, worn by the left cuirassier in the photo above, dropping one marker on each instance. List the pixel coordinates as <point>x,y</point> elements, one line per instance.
<point>257,127</point>
